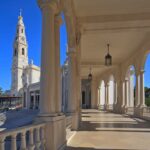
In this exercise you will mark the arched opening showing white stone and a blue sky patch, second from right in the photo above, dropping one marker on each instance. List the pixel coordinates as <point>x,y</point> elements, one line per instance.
<point>130,85</point>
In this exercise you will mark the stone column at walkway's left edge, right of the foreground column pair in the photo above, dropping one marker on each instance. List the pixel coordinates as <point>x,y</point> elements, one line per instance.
<point>72,87</point>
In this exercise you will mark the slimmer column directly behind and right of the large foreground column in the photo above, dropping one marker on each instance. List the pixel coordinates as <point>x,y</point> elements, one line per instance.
<point>58,21</point>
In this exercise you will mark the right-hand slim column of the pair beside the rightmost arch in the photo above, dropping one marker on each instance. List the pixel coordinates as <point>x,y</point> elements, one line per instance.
<point>142,90</point>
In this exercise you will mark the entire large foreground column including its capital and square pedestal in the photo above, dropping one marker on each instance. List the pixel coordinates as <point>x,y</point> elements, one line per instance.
<point>55,125</point>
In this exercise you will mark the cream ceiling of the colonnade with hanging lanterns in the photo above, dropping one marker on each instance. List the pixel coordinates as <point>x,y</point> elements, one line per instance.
<point>124,24</point>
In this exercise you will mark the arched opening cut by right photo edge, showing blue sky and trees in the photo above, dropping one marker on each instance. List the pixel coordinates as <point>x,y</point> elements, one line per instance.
<point>147,80</point>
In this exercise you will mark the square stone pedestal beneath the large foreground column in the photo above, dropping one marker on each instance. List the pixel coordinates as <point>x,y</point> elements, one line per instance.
<point>55,131</point>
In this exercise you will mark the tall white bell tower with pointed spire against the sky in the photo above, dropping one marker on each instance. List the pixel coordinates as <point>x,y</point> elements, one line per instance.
<point>20,57</point>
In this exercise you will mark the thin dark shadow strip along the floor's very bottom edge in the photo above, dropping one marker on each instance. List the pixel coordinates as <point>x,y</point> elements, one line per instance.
<point>87,148</point>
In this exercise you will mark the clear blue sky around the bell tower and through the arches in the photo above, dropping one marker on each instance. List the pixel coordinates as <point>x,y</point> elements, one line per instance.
<point>9,10</point>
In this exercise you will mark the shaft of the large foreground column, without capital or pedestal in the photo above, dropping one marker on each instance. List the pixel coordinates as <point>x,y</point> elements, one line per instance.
<point>48,71</point>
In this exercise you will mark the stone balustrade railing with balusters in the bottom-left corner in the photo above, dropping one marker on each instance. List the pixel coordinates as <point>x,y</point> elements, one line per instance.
<point>24,138</point>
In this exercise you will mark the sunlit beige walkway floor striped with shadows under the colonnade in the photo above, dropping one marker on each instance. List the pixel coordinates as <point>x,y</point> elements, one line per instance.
<point>109,131</point>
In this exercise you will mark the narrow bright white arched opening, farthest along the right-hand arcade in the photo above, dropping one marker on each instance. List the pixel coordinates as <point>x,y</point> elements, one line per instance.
<point>102,95</point>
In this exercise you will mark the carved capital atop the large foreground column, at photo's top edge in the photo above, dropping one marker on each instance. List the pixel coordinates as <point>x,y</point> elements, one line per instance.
<point>49,5</point>
